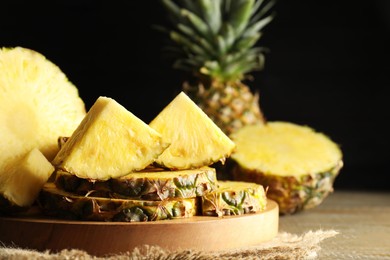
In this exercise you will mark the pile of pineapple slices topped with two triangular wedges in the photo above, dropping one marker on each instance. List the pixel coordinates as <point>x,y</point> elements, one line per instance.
<point>114,167</point>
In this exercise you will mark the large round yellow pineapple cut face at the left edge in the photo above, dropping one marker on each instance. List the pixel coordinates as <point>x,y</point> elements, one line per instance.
<point>37,104</point>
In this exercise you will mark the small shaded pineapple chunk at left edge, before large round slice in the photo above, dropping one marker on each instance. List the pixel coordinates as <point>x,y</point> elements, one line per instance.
<point>21,183</point>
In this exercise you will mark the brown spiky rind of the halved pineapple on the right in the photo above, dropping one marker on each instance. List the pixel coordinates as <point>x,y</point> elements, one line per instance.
<point>293,195</point>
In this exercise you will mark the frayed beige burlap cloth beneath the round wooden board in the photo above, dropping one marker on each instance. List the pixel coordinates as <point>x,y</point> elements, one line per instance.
<point>283,246</point>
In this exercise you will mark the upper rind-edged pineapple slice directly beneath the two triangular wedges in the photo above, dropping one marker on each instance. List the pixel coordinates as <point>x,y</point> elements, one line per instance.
<point>150,184</point>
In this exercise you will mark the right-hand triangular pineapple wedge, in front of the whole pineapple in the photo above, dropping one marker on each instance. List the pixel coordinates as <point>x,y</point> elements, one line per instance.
<point>195,140</point>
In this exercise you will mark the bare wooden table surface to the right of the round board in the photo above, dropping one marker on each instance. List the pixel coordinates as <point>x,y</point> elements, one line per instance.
<point>361,218</point>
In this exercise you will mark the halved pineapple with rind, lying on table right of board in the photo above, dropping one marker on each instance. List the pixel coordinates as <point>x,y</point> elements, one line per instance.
<point>296,163</point>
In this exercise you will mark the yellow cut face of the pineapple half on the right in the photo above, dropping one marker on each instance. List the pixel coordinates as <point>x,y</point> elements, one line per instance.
<point>285,149</point>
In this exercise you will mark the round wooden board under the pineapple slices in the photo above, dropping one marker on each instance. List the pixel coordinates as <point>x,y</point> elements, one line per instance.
<point>102,238</point>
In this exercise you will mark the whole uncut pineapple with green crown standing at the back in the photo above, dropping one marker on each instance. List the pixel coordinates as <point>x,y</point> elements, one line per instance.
<point>215,40</point>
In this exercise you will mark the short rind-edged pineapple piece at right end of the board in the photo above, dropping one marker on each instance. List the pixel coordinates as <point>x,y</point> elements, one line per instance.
<point>234,198</point>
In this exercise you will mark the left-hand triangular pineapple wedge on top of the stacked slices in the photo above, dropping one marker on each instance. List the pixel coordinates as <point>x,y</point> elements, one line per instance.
<point>110,142</point>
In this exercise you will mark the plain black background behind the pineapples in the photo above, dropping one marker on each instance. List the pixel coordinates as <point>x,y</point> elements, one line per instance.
<point>328,66</point>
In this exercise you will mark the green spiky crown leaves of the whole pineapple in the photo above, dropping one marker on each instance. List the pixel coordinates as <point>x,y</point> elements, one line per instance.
<point>215,39</point>
